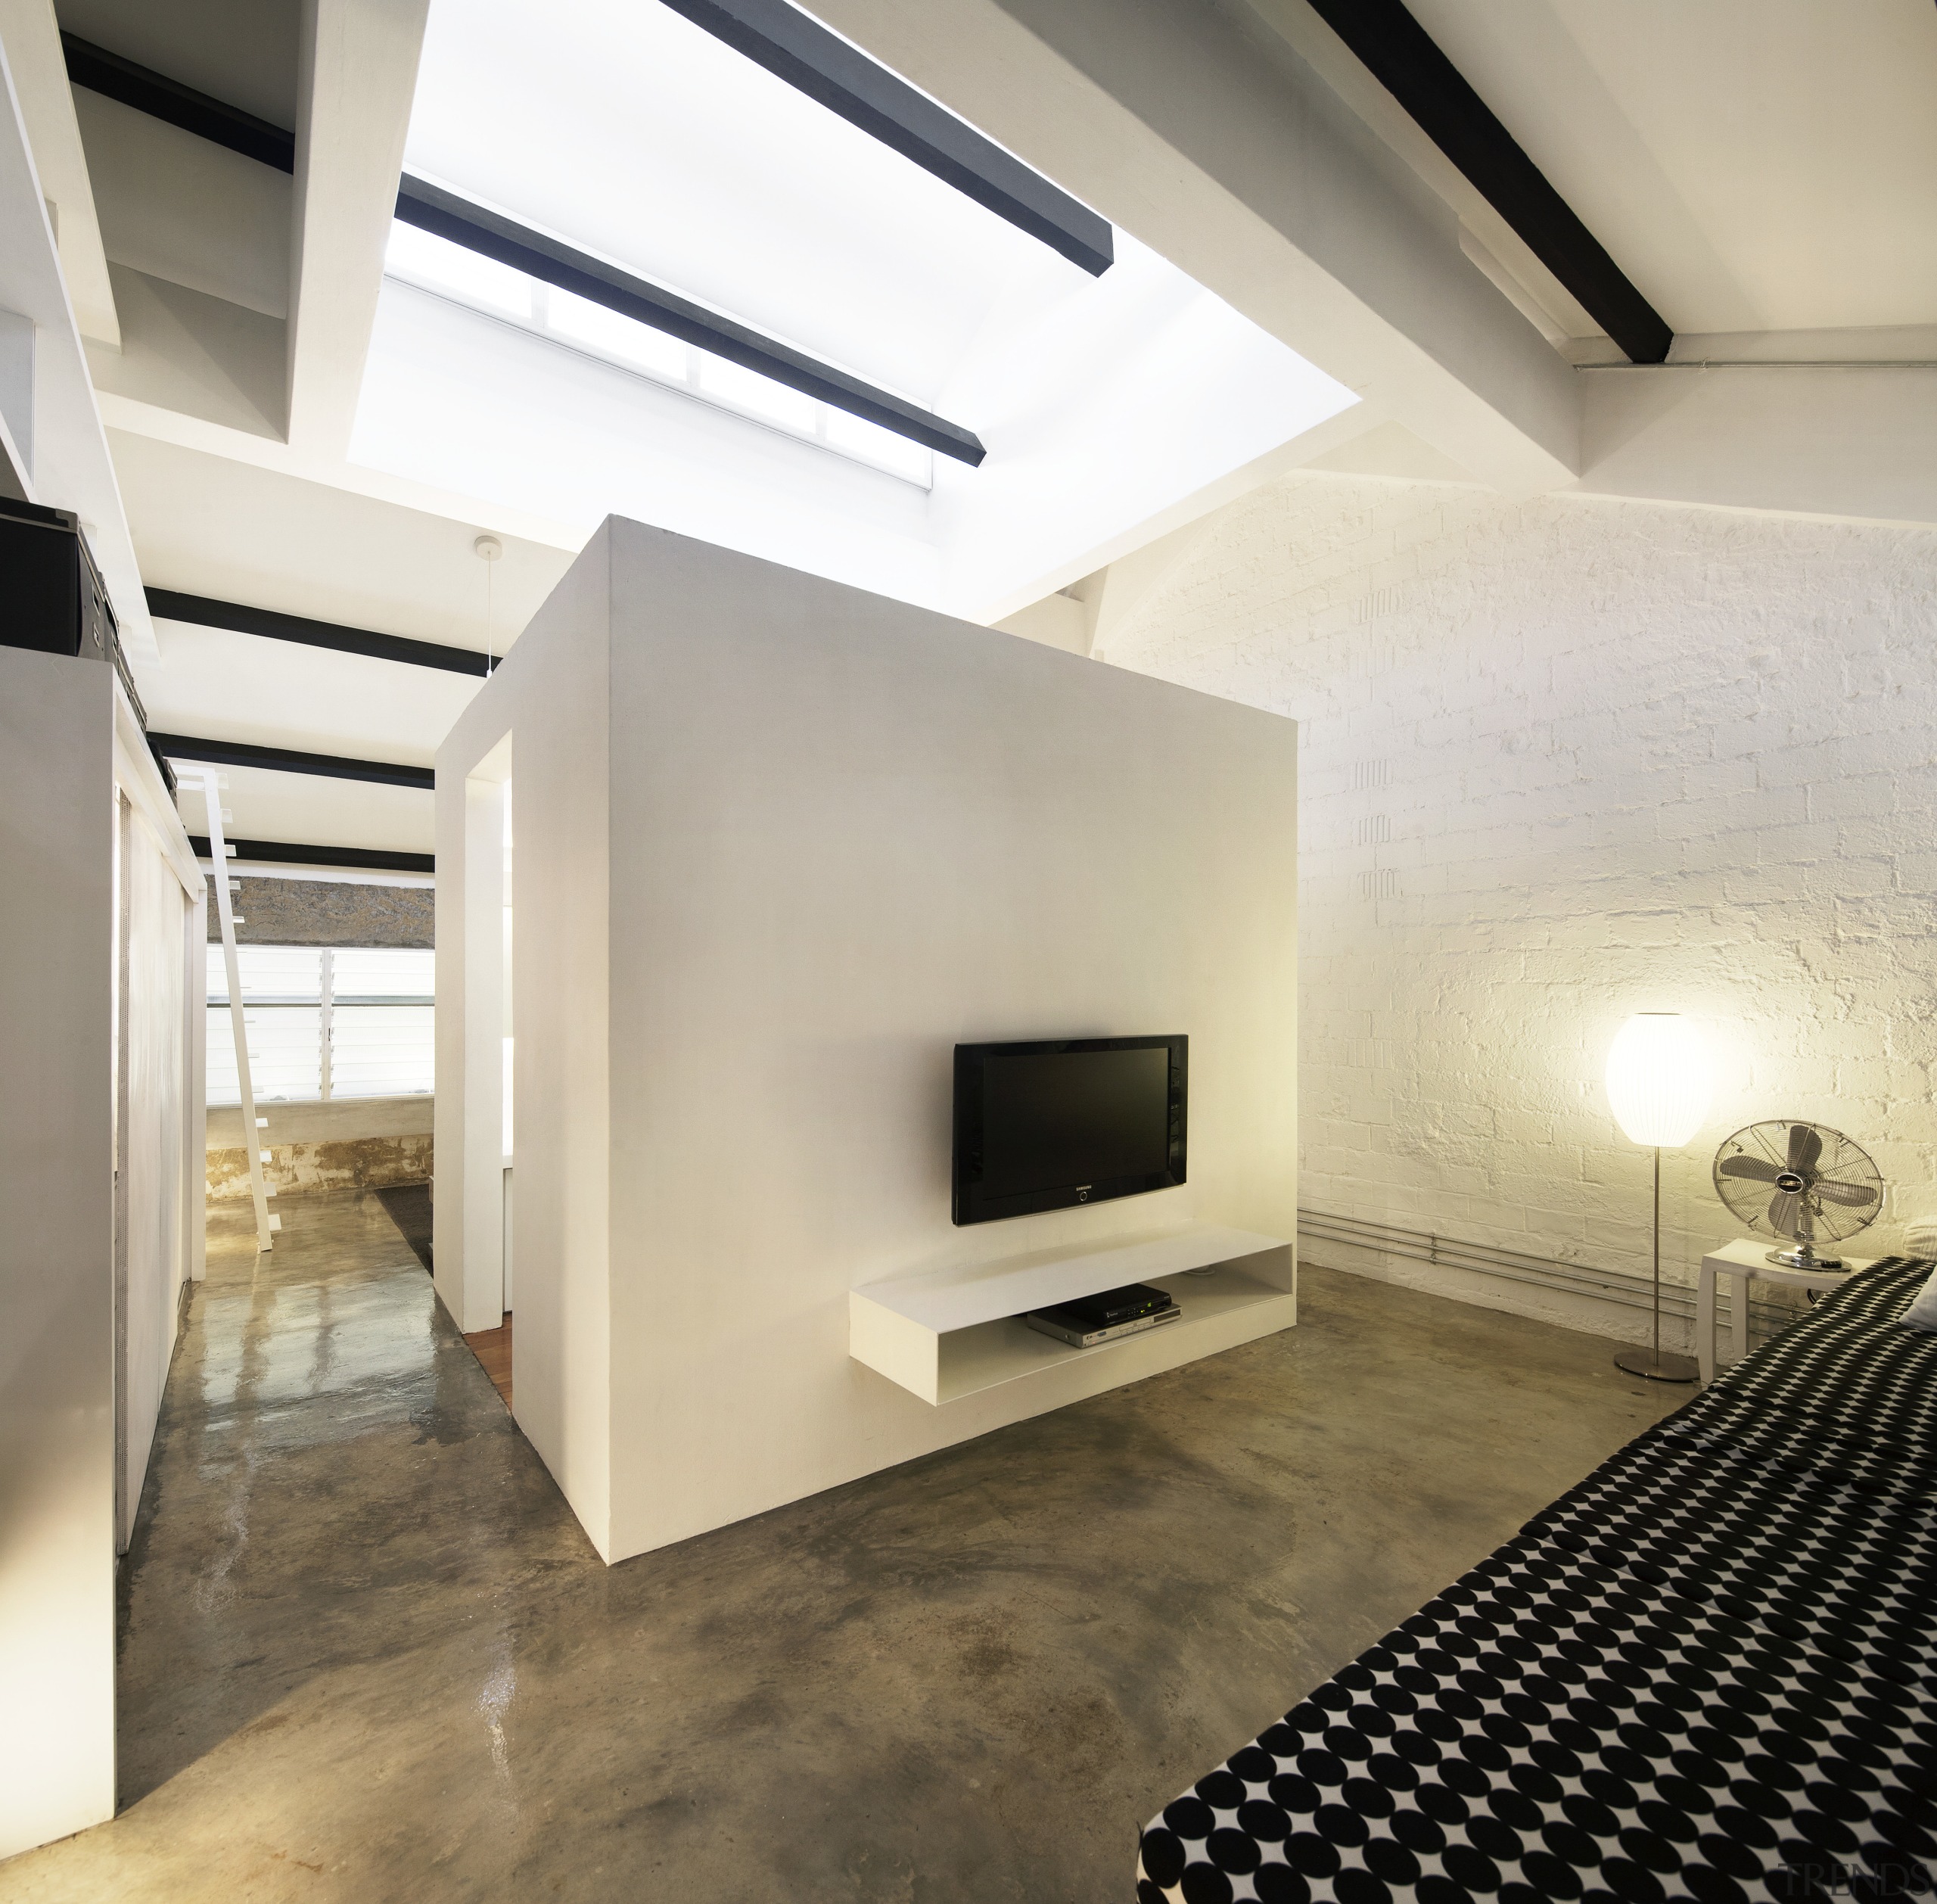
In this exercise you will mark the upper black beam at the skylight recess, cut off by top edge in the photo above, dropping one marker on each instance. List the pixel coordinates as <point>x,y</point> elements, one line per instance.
<point>799,49</point>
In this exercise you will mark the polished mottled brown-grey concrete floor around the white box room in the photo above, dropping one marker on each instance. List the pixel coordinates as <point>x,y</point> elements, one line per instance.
<point>371,1657</point>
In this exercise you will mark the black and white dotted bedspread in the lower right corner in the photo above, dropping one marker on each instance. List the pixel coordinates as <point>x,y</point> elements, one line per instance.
<point>1702,1674</point>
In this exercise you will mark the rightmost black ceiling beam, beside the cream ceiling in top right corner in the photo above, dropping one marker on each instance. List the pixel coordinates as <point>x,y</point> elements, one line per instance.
<point>1399,53</point>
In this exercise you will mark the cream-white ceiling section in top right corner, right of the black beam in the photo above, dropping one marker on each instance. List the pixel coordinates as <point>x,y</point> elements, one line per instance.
<point>1752,166</point>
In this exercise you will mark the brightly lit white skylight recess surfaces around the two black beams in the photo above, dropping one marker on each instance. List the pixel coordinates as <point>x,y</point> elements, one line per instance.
<point>623,129</point>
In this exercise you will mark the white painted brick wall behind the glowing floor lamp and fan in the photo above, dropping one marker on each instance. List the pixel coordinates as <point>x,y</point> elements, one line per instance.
<point>1568,760</point>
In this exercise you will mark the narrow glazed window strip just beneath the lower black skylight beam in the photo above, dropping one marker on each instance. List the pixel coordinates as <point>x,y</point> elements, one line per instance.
<point>448,270</point>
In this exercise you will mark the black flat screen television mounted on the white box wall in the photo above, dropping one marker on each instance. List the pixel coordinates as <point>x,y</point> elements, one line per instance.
<point>1068,1121</point>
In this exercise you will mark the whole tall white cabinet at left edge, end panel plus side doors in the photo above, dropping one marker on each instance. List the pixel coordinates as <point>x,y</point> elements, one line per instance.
<point>100,1004</point>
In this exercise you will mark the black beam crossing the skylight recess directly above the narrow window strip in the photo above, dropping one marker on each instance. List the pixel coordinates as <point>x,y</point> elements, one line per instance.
<point>510,243</point>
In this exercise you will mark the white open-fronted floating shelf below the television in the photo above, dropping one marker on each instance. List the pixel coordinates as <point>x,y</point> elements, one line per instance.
<point>956,1332</point>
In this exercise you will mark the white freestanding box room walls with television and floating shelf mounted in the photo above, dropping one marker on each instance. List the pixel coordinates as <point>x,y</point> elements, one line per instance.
<point>780,847</point>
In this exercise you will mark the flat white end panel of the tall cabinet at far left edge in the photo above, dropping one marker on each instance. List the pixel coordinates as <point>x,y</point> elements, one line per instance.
<point>57,1246</point>
